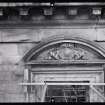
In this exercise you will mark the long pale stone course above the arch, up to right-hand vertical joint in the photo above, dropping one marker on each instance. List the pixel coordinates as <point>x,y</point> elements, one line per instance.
<point>12,35</point>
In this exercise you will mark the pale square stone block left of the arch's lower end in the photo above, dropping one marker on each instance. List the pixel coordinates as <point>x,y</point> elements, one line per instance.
<point>9,53</point>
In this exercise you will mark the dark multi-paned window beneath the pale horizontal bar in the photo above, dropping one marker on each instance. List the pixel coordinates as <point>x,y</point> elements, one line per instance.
<point>67,93</point>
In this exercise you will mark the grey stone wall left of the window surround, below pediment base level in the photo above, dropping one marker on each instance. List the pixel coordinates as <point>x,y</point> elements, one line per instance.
<point>10,91</point>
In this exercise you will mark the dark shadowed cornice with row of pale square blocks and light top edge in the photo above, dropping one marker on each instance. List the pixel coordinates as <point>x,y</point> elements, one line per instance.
<point>11,12</point>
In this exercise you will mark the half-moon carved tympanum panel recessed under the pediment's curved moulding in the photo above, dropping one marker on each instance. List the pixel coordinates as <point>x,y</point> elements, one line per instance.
<point>67,51</point>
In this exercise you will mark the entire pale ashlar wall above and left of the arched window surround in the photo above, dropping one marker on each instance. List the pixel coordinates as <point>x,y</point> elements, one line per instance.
<point>16,42</point>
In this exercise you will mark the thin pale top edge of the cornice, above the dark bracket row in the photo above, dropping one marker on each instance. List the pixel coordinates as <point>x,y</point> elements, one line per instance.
<point>14,4</point>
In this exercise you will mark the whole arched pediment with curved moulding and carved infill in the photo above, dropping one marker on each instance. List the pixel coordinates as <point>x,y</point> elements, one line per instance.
<point>65,48</point>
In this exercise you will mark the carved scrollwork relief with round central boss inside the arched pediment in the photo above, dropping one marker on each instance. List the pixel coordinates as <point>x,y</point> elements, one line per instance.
<point>67,51</point>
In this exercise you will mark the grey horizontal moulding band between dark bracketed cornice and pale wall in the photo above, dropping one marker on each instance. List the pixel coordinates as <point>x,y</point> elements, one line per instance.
<point>54,24</point>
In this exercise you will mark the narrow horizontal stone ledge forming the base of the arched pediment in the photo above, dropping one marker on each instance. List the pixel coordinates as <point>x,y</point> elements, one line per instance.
<point>57,62</point>
